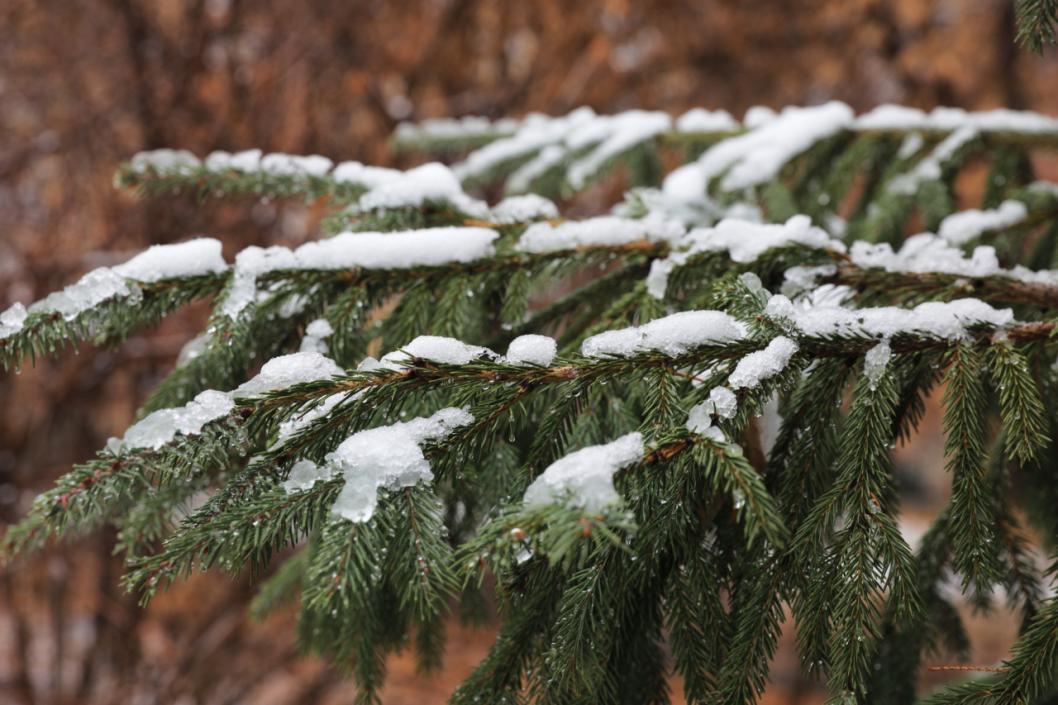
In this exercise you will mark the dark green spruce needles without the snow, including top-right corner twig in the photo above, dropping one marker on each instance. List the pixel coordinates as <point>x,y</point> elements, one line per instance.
<point>783,503</point>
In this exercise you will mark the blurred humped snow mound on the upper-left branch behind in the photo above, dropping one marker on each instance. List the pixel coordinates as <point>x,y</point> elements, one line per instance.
<point>430,184</point>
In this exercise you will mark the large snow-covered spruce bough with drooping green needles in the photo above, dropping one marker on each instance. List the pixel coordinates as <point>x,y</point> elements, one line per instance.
<point>651,433</point>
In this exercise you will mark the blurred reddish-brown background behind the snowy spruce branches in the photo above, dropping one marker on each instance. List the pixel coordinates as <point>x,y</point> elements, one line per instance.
<point>85,84</point>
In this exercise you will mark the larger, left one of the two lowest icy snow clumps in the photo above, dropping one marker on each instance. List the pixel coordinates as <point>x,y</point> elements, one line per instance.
<point>389,458</point>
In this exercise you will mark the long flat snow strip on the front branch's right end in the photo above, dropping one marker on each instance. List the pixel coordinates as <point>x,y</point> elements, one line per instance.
<point>945,321</point>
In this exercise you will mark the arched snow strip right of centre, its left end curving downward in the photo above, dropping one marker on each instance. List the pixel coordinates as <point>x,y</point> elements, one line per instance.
<point>743,241</point>
